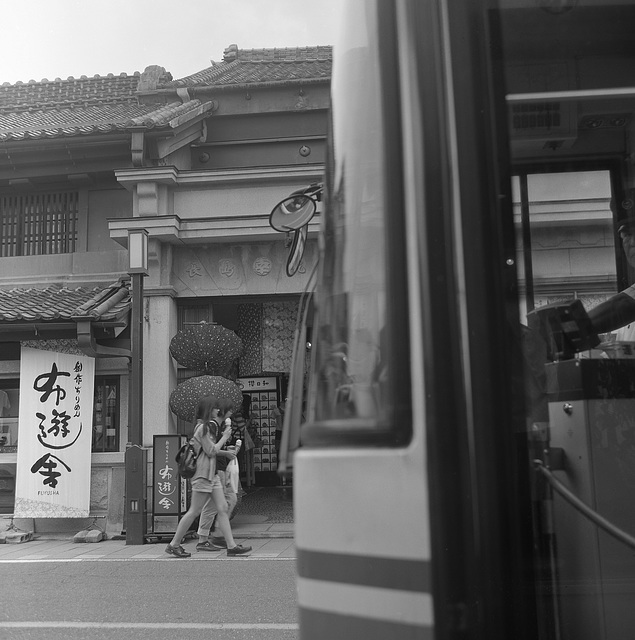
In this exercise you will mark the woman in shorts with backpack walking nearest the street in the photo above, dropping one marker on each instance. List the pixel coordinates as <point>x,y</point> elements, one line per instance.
<point>206,484</point>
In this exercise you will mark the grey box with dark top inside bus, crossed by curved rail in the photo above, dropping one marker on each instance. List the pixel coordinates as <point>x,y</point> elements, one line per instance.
<point>592,419</point>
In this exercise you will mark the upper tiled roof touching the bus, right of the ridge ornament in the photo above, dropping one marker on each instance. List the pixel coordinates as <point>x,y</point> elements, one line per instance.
<point>257,66</point>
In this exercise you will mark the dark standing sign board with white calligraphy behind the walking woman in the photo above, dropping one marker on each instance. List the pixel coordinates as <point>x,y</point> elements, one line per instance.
<point>169,490</point>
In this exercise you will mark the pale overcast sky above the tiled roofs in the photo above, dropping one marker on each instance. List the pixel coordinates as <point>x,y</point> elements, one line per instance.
<point>61,38</point>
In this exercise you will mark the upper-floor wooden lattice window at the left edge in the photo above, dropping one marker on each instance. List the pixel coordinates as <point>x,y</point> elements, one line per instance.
<point>38,224</point>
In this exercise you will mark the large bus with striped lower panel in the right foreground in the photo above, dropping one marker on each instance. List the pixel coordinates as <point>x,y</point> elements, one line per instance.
<point>460,427</point>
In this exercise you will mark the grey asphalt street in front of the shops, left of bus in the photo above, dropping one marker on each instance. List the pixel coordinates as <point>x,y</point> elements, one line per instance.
<point>157,598</point>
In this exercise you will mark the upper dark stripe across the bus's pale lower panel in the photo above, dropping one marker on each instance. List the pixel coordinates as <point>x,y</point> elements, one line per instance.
<point>372,571</point>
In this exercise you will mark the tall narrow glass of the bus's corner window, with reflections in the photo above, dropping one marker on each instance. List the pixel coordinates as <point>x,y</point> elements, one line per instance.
<point>353,389</point>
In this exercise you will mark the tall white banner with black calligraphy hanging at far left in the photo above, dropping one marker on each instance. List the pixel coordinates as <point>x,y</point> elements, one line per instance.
<point>54,435</point>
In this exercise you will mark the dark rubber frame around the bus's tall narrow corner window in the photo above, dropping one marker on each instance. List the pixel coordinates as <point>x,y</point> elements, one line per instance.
<point>397,430</point>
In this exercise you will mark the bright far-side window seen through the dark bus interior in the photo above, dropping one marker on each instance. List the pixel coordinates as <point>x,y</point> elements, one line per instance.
<point>564,215</point>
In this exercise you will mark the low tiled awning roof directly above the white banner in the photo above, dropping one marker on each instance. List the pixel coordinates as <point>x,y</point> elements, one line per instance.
<point>56,303</point>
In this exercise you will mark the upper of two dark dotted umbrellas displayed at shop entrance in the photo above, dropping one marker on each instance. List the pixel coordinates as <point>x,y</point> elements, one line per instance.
<point>206,347</point>
